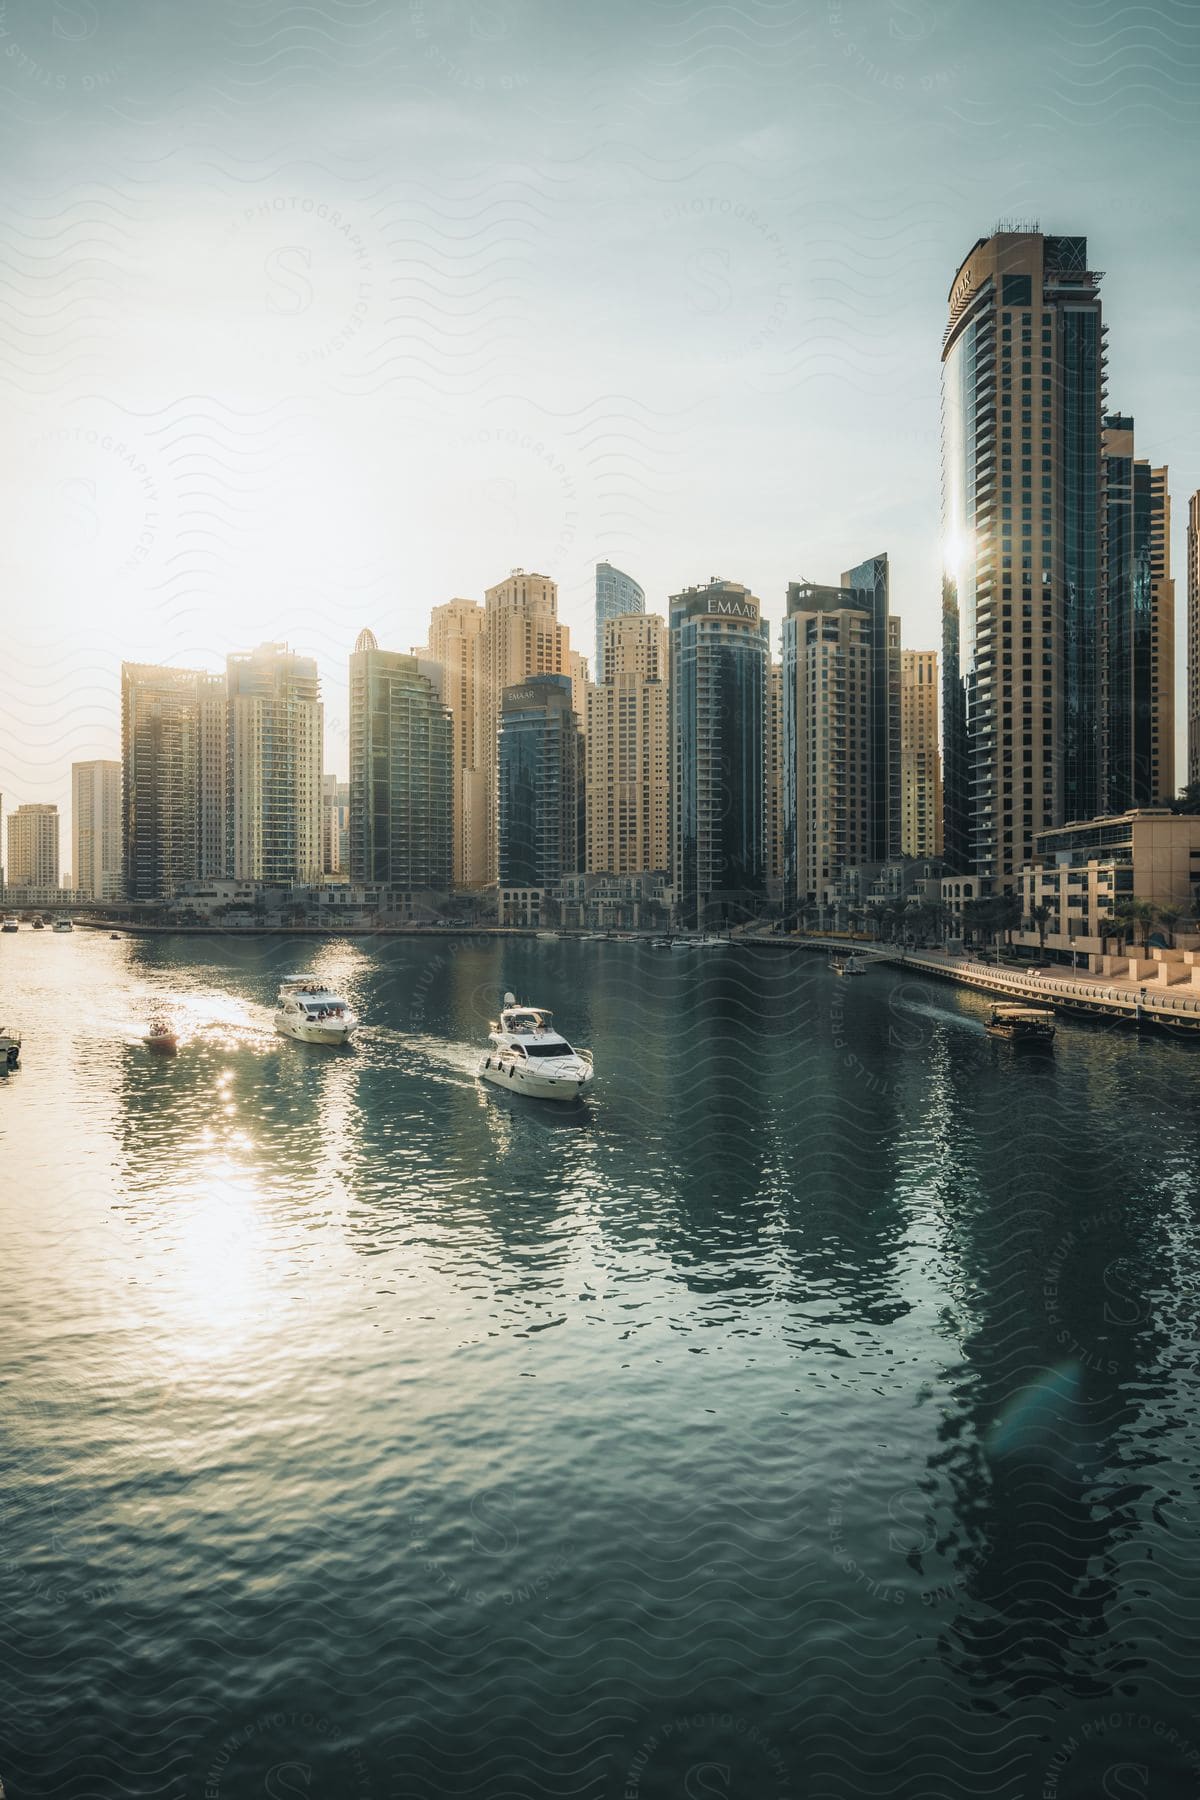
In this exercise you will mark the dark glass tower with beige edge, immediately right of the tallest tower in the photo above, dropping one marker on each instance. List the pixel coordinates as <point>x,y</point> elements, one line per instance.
<point>1138,629</point>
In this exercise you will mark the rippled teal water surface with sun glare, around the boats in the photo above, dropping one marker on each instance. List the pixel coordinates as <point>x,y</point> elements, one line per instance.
<point>812,1414</point>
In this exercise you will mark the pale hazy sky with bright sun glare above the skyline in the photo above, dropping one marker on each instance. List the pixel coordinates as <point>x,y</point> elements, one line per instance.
<point>316,316</point>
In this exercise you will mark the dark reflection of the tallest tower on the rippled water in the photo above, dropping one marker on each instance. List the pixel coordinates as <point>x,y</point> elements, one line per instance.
<point>1057,1369</point>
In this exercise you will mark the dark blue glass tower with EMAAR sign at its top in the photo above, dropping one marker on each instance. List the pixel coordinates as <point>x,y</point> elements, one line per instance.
<point>719,670</point>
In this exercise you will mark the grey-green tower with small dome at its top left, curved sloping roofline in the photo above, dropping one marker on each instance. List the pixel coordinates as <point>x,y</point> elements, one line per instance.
<point>402,773</point>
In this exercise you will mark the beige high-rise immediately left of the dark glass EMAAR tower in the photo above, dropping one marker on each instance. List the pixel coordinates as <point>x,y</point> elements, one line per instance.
<point>627,750</point>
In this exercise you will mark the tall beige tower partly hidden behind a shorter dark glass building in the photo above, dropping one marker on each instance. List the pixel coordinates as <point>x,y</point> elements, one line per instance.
<point>521,638</point>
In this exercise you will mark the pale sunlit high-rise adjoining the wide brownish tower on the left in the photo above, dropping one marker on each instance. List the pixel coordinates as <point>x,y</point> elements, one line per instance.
<point>276,744</point>
